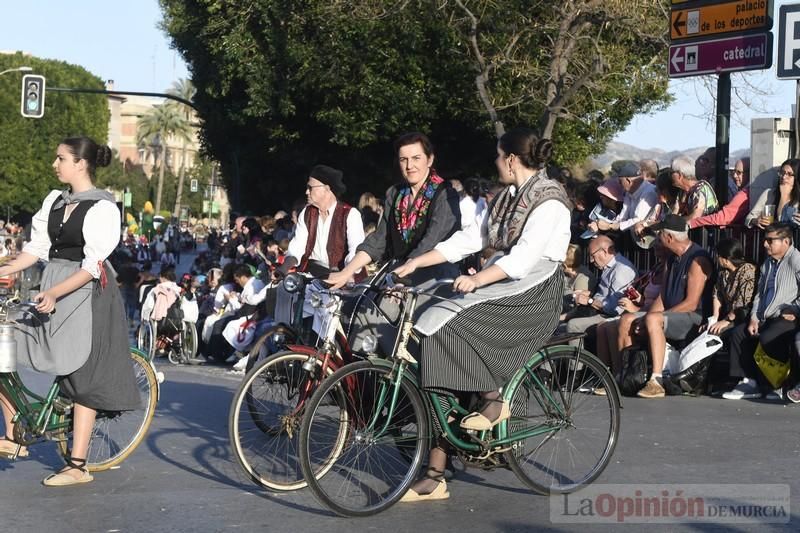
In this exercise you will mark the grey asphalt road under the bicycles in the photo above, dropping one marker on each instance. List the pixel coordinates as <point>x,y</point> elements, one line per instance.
<point>184,477</point>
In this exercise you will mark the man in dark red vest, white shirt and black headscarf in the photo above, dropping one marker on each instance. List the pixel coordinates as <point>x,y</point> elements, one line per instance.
<point>328,231</point>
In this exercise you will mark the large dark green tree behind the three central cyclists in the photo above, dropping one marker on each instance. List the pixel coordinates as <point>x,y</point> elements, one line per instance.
<point>285,84</point>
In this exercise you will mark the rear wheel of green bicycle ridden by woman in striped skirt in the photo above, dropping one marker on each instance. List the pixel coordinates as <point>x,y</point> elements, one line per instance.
<point>578,428</point>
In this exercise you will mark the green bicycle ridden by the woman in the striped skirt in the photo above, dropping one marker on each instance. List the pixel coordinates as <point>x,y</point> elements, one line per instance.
<point>368,426</point>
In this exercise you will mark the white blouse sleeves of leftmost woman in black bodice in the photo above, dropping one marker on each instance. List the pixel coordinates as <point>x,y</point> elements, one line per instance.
<point>101,232</point>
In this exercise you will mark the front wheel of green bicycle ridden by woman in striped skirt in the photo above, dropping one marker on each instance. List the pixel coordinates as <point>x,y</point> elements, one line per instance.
<point>380,457</point>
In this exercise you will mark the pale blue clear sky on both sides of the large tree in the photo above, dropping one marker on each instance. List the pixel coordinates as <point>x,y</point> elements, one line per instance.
<point>120,40</point>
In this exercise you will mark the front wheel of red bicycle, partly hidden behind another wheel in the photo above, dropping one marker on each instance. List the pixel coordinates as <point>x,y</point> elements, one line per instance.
<point>265,416</point>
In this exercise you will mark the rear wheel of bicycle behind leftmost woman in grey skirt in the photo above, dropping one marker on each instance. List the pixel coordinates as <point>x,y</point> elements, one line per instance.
<point>116,434</point>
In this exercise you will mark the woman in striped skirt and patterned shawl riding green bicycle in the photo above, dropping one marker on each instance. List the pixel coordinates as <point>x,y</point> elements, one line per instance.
<point>506,311</point>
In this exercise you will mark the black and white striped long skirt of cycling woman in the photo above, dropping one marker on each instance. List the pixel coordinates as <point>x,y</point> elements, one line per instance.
<point>481,347</point>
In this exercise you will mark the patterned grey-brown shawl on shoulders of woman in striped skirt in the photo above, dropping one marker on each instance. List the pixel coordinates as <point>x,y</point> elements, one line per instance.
<point>509,213</point>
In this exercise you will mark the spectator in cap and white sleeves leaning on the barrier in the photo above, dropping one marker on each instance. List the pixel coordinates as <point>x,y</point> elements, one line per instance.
<point>638,199</point>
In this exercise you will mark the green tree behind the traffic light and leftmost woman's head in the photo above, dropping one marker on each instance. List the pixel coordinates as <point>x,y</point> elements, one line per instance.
<point>28,145</point>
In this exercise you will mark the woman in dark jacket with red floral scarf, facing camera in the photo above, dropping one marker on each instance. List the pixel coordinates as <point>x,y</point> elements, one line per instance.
<point>418,214</point>
